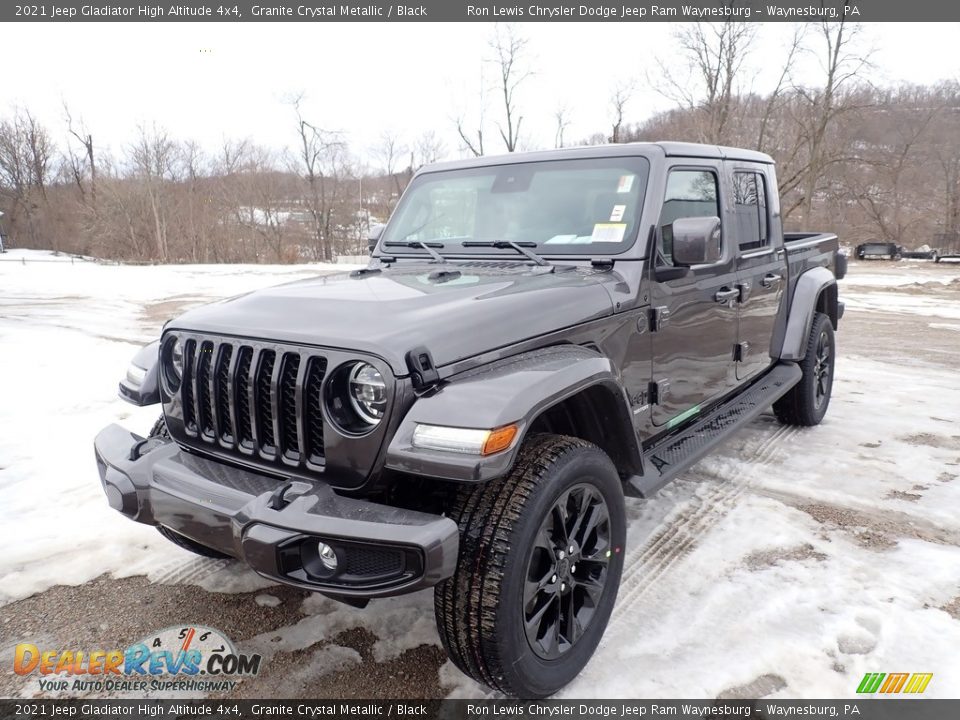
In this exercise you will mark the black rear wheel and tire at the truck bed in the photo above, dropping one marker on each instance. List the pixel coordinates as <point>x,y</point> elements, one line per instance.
<point>808,400</point>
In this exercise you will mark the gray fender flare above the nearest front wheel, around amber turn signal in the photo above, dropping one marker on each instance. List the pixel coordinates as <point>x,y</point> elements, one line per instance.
<point>513,390</point>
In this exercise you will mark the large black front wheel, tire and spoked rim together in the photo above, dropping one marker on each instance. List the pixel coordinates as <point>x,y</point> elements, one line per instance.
<point>541,553</point>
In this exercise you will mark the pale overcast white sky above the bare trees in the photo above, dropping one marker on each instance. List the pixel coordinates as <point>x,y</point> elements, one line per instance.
<point>211,81</point>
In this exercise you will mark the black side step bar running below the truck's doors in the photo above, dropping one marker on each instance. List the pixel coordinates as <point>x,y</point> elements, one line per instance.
<point>679,451</point>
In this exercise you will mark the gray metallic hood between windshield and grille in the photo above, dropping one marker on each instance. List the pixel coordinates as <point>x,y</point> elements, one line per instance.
<point>477,307</point>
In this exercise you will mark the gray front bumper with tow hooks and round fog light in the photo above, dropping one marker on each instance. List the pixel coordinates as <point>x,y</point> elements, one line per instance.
<point>274,525</point>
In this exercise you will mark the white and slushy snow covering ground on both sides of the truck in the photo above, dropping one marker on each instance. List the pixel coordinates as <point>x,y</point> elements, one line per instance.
<point>787,564</point>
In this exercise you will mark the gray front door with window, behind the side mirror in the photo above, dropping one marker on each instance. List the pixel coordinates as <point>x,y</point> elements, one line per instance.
<point>693,346</point>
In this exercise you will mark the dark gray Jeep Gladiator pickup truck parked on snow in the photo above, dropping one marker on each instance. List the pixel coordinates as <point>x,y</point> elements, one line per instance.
<point>536,337</point>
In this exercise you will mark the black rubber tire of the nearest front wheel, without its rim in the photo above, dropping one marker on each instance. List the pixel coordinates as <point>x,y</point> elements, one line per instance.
<point>480,609</point>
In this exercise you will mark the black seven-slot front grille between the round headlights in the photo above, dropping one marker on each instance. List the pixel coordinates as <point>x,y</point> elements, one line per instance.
<point>256,400</point>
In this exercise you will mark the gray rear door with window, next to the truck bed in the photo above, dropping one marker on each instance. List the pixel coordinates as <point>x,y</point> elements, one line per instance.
<point>760,267</point>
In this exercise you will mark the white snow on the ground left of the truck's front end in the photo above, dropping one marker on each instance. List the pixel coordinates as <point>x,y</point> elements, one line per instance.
<point>68,330</point>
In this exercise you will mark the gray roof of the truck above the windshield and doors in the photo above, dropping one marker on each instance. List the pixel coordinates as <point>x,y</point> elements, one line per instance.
<point>666,149</point>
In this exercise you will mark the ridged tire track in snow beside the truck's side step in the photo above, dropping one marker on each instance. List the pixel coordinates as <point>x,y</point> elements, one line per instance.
<point>680,532</point>
